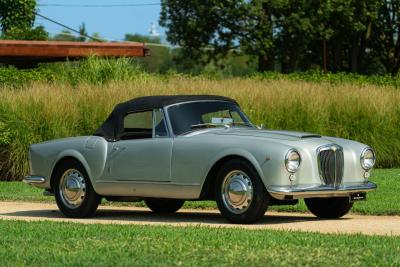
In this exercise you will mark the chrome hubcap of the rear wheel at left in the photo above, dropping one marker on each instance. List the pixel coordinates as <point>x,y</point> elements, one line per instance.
<point>72,188</point>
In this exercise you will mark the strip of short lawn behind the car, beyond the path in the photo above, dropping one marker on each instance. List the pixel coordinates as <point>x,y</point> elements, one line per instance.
<point>383,201</point>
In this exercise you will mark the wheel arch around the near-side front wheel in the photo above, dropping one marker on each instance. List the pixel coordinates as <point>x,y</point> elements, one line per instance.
<point>207,189</point>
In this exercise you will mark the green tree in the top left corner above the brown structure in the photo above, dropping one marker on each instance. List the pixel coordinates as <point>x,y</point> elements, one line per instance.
<point>17,18</point>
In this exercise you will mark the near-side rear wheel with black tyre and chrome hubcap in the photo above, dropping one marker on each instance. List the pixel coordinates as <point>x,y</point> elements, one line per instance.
<point>73,190</point>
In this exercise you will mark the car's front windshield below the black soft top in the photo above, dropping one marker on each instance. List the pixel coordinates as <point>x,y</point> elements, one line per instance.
<point>188,117</point>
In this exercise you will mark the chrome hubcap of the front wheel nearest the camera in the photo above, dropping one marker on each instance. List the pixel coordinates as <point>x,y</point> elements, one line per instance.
<point>237,192</point>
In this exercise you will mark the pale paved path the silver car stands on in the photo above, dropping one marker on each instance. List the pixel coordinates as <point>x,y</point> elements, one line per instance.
<point>368,225</point>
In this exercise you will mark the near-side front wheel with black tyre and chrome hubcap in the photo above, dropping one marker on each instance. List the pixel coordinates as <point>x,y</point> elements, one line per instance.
<point>240,194</point>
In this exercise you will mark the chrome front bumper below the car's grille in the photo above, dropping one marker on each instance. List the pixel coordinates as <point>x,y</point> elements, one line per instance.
<point>307,191</point>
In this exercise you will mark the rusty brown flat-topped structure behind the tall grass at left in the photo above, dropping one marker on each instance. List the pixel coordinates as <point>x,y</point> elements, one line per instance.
<point>29,53</point>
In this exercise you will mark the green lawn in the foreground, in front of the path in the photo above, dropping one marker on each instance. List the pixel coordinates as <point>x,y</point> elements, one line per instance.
<point>72,244</point>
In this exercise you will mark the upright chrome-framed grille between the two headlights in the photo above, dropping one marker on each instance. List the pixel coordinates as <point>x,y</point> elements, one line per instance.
<point>330,159</point>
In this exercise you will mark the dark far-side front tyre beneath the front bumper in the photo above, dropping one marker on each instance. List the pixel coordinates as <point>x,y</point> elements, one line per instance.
<point>334,207</point>
